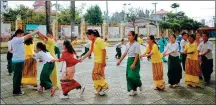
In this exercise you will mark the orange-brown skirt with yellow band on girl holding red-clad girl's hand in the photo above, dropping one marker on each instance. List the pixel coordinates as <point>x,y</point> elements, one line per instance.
<point>98,77</point>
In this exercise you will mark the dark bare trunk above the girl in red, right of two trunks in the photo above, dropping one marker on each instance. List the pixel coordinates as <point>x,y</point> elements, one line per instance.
<point>72,19</point>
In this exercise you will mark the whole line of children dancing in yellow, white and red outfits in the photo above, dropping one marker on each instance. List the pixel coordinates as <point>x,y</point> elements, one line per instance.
<point>24,62</point>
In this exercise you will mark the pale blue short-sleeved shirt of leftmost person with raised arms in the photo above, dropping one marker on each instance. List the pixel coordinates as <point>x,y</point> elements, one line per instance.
<point>17,44</point>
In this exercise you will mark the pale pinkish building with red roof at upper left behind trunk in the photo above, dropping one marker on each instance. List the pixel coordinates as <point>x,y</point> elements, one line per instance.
<point>39,7</point>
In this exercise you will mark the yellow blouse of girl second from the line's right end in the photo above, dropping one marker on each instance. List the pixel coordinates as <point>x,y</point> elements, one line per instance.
<point>191,48</point>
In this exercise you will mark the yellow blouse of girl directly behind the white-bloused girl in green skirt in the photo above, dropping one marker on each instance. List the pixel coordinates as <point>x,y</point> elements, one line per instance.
<point>156,55</point>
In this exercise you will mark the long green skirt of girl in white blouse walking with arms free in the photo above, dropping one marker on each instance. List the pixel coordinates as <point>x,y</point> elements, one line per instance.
<point>132,75</point>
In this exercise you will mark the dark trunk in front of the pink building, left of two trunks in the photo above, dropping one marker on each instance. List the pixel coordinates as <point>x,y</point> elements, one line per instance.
<point>47,4</point>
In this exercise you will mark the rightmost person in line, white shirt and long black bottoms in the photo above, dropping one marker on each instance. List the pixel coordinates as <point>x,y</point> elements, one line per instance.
<point>205,51</point>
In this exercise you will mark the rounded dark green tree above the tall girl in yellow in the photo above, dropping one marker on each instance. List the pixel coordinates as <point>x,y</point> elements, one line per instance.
<point>94,15</point>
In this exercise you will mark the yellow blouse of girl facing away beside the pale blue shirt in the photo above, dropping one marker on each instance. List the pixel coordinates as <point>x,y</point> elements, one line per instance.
<point>29,51</point>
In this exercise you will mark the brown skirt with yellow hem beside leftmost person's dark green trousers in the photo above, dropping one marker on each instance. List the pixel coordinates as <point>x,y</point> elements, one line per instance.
<point>29,75</point>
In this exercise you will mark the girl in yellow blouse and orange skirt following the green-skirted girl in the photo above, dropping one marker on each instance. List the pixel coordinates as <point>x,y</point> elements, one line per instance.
<point>157,66</point>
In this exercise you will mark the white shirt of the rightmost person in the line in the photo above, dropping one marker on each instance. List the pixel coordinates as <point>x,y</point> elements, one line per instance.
<point>203,47</point>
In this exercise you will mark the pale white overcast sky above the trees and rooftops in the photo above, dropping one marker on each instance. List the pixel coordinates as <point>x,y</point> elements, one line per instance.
<point>194,9</point>
